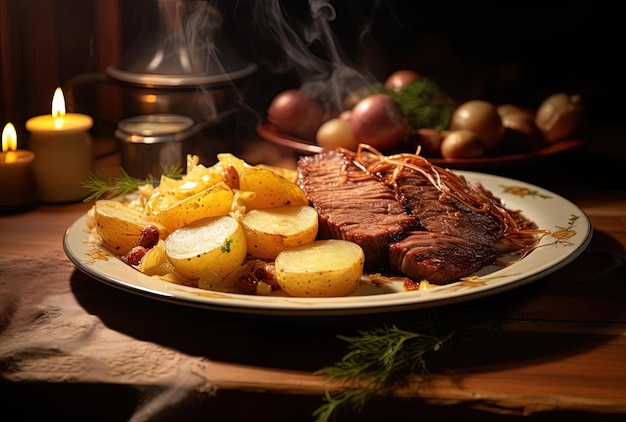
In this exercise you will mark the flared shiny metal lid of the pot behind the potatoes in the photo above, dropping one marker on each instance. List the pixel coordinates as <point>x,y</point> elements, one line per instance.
<point>182,43</point>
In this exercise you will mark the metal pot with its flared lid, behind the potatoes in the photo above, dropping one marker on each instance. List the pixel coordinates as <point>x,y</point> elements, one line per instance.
<point>182,64</point>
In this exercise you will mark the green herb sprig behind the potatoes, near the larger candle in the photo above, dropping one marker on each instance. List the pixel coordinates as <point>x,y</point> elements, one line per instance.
<point>102,186</point>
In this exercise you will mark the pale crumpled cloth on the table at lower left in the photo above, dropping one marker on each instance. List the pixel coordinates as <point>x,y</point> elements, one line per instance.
<point>46,335</point>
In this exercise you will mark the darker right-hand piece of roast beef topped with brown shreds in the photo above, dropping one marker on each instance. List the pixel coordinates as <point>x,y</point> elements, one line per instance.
<point>456,241</point>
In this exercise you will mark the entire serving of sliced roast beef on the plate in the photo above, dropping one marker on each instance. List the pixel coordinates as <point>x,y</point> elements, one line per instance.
<point>419,220</point>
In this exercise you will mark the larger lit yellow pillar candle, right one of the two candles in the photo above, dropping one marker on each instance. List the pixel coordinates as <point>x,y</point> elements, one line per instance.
<point>64,155</point>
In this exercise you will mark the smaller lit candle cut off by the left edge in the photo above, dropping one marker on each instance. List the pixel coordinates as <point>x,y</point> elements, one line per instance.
<point>17,180</point>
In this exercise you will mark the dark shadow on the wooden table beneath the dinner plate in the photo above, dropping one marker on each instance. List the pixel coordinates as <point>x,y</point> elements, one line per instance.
<point>579,292</point>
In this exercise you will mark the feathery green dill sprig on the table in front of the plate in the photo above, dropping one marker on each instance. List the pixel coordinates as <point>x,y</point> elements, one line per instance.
<point>381,355</point>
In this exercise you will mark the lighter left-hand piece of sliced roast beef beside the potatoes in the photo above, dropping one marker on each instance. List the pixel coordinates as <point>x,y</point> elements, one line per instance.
<point>352,205</point>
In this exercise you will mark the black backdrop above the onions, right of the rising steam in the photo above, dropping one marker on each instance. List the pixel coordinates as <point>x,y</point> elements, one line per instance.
<point>515,52</point>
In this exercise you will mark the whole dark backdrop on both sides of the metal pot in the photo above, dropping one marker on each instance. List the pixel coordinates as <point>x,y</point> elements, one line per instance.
<point>513,52</point>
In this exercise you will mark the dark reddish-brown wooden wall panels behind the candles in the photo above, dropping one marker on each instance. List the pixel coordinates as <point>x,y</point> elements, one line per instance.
<point>44,43</point>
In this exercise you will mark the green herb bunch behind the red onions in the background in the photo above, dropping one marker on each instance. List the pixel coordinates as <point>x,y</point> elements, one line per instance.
<point>425,104</point>
